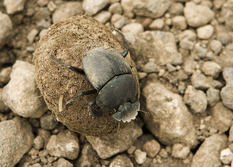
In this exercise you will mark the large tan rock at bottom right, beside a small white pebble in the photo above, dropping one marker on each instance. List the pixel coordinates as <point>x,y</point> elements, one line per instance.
<point>208,154</point>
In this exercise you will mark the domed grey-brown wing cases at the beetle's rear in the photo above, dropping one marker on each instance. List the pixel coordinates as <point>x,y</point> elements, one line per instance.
<point>100,65</point>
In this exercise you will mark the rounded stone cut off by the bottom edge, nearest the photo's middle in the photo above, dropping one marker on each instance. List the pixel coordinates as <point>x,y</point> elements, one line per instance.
<point>121,160</point>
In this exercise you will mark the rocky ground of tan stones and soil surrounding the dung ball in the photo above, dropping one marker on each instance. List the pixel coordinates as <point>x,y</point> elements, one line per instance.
<point>183,51</point>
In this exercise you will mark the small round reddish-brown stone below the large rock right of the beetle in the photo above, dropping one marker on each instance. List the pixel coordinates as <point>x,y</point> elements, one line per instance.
<point>152,148</point>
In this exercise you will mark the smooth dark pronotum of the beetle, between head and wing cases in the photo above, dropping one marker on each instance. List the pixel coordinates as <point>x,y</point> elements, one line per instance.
<point>120,89</point>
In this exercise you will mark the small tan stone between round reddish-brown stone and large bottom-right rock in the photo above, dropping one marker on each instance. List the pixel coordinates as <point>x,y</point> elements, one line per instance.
<point>180,151</point>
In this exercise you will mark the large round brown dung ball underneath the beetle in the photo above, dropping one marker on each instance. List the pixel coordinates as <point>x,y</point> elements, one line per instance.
<point>69,41</point>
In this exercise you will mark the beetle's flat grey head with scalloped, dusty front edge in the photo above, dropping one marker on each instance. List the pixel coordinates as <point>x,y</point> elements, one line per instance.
<point>127,112</point>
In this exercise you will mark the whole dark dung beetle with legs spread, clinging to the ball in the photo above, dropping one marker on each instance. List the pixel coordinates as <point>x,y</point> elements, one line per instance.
<point>111,76</point>
